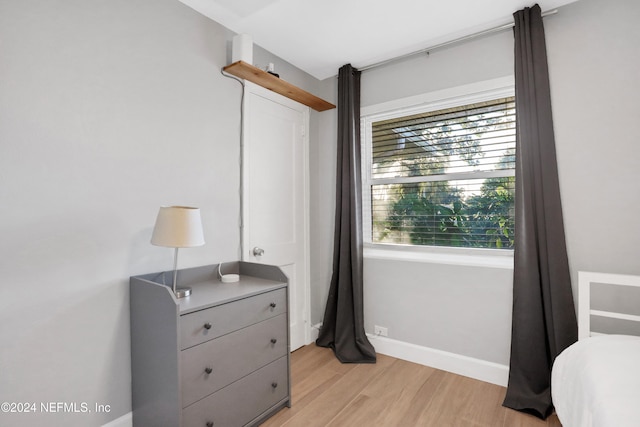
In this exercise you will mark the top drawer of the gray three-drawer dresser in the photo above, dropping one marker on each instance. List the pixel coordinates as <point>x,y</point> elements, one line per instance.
<point>213,322</point>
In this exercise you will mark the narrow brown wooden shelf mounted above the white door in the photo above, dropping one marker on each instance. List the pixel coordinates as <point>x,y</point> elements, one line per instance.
<point>256,75</point>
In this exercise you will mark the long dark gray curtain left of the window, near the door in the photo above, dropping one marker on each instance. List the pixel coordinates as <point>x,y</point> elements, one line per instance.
<point>343,324</point>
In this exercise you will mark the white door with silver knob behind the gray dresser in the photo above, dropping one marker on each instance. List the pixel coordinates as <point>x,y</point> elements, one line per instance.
<point>275,195</point>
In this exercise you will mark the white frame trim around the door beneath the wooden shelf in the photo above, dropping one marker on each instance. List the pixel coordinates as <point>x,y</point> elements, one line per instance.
<point>305,285</point>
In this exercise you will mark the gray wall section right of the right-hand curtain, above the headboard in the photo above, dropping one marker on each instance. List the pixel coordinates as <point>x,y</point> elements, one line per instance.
<point>594,55</point>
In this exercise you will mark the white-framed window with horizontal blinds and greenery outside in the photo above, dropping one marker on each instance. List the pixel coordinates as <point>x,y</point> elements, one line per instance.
<point>442,176</point>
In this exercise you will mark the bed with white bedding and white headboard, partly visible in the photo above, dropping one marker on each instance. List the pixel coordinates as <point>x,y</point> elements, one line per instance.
<point>596,381</point>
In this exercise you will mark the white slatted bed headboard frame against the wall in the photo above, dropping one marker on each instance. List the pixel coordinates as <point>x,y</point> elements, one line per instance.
<point>585,279</point>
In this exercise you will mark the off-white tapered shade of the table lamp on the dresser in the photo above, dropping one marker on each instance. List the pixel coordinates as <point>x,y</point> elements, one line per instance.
<point>178,227</point>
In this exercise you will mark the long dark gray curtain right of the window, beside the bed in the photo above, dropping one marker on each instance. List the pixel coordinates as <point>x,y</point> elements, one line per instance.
<point>544,321</point>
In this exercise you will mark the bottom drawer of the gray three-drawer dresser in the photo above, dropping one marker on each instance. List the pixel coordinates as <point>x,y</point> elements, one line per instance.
<point>238,403</point>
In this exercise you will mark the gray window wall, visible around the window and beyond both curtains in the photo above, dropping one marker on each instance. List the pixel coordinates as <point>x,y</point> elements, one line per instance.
<point>593,58</point>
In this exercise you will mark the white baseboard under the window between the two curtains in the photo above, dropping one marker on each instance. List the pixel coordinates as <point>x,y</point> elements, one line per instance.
<point>482,370</point>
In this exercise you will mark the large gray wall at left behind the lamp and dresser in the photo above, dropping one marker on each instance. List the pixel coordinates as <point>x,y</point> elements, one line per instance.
<point>108,109</point>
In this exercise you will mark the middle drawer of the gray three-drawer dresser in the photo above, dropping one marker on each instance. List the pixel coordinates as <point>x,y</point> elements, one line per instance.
<point>231,357</point>
